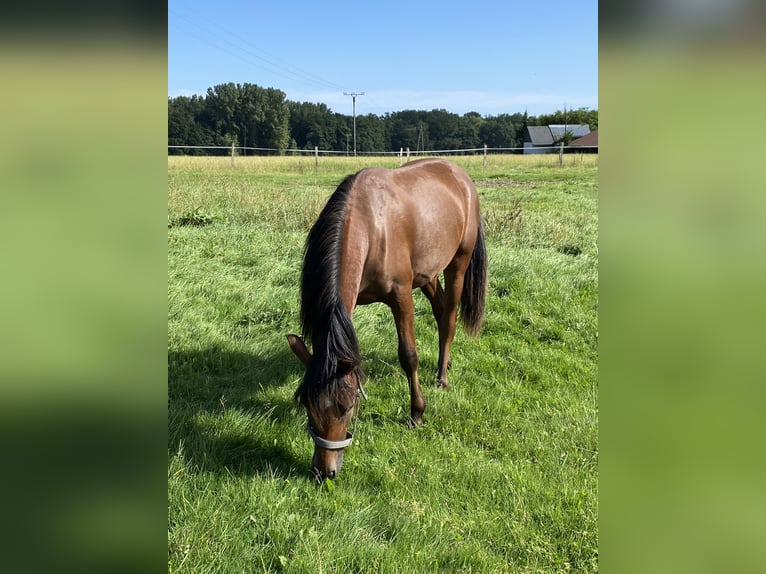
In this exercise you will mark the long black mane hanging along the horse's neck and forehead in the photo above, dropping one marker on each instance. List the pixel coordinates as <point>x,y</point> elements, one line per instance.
<point>324,319</point>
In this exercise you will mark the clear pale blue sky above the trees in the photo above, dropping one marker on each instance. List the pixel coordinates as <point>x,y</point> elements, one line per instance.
<point>487,56</point>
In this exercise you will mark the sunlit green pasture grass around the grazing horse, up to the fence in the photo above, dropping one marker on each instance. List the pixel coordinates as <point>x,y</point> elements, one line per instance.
<point>502,476</point>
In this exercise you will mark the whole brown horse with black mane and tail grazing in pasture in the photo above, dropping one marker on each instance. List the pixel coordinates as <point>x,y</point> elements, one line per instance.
<point>382,234</point>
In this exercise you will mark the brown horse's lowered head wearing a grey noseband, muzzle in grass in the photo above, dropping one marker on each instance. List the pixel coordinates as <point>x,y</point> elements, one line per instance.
<point>329,407</point>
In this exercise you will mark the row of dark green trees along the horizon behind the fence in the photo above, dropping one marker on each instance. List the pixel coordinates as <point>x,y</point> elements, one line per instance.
<point>248,115</point>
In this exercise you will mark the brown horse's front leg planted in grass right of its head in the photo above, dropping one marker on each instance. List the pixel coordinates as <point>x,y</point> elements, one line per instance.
<point>403,309</point>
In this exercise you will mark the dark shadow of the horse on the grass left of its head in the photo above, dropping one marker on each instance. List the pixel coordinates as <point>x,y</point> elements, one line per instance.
<point>227,412</point>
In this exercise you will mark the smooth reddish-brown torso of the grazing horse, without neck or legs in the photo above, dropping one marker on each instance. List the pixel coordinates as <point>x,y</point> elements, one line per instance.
<point>413,221</point>
